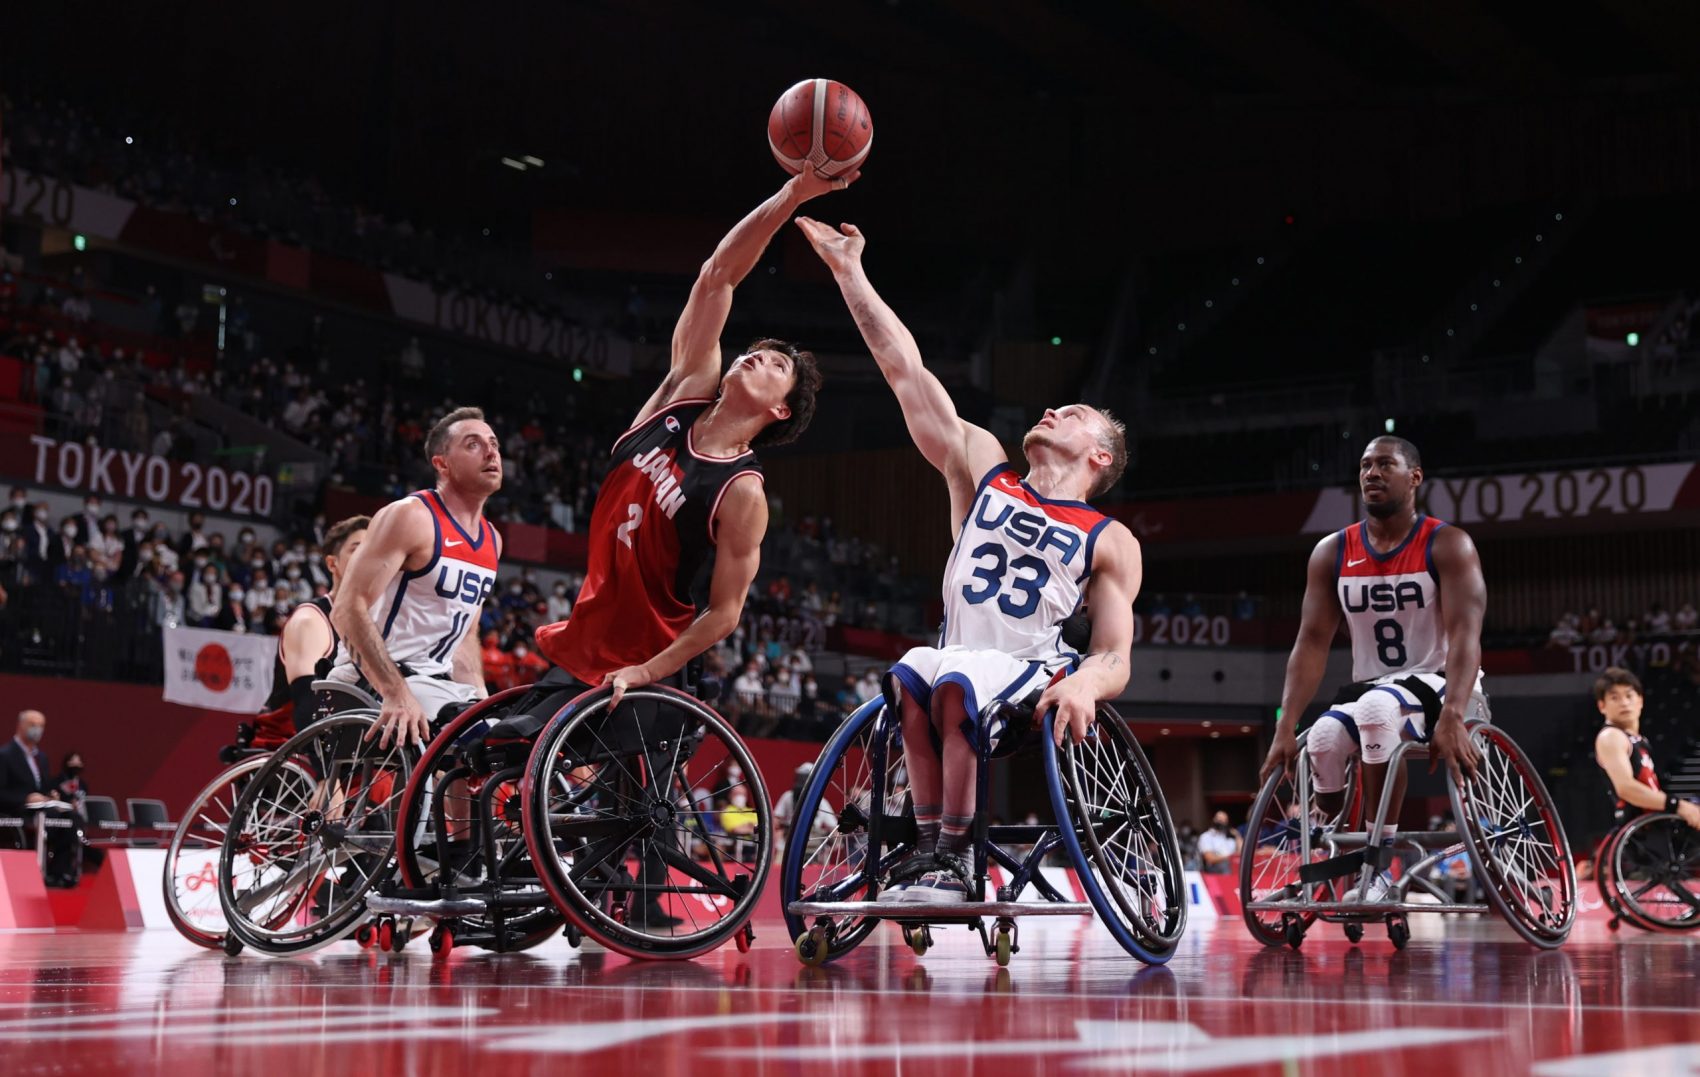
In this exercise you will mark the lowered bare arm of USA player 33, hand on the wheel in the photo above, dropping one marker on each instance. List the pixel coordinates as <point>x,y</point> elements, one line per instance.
<point>1116,577</point>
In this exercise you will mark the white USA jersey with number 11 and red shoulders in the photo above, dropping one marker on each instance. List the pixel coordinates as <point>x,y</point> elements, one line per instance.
<point>424,616</point>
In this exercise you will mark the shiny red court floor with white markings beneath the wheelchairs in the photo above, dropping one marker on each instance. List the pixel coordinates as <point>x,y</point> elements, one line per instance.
<point>1463,998</point>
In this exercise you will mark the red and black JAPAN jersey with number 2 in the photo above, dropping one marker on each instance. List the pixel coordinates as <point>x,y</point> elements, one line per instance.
<point>652,536</point>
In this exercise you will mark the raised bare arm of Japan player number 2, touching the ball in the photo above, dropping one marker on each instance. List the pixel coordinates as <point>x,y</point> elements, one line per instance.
<point>696,368</point>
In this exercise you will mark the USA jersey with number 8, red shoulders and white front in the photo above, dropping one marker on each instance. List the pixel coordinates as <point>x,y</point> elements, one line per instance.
<point>1391,602</point>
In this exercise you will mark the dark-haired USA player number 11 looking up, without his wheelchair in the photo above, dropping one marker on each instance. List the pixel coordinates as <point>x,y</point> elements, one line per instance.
<point>414,594</point>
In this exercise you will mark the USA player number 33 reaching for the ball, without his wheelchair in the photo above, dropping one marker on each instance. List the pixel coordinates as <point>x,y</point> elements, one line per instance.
<point>1026,553</point>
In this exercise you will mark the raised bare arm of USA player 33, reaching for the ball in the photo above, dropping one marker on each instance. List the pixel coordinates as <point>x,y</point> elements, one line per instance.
<point>961,451</point>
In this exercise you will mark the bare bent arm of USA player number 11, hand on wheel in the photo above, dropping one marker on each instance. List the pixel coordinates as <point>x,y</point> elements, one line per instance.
<point>400,539</point>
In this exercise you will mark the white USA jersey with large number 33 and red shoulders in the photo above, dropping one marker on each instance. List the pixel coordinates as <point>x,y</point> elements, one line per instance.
<point>1017,570</point>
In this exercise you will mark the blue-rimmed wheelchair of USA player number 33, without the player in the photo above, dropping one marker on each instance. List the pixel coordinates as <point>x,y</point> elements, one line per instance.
<point>854,825</point>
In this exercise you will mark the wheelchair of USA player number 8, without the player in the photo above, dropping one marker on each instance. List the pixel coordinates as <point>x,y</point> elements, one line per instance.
<point>1305,864</point>
